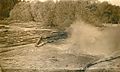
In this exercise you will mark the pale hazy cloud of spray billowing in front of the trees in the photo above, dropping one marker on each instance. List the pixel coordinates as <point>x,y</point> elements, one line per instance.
<point>89,39</point>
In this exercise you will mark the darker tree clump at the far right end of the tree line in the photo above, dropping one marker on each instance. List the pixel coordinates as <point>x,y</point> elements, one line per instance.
<point>110,13</point>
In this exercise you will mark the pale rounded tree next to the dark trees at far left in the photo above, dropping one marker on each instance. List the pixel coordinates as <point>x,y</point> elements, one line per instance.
<point>21,11</point>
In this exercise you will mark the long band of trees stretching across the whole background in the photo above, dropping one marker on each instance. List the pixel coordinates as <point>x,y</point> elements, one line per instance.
<point>62,13</point>
